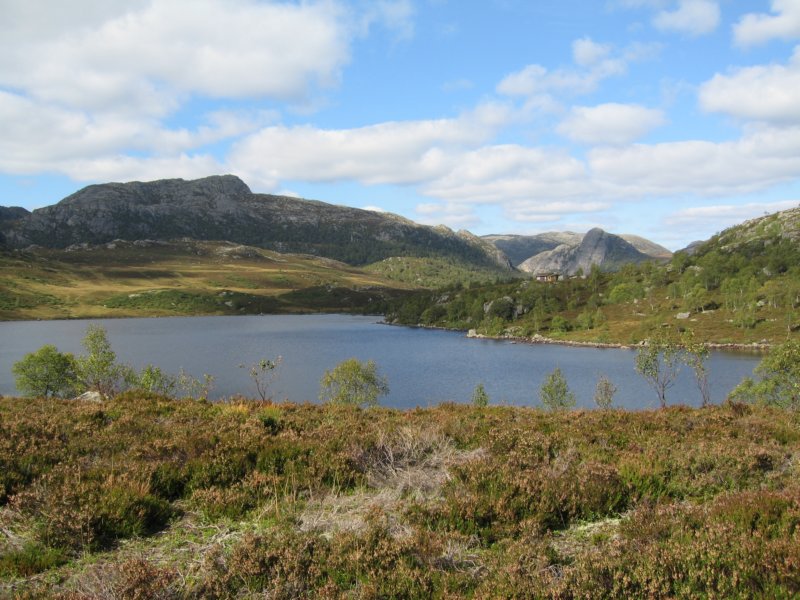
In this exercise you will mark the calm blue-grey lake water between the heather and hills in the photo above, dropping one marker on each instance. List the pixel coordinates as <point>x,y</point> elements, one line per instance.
<point>424,367</point>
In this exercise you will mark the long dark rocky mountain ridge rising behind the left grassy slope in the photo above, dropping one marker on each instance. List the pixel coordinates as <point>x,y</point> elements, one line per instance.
<point>223,208</point>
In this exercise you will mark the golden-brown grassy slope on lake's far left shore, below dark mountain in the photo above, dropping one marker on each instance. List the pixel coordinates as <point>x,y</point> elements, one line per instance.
<point>180,278</point>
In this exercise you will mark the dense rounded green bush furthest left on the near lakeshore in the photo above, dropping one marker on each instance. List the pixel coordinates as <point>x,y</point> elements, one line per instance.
<point>46,372</point>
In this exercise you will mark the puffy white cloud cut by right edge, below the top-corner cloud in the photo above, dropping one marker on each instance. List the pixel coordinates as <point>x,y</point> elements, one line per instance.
<point>764,93</point>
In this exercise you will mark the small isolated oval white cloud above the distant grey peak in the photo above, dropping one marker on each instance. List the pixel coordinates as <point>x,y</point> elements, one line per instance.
<point>610,123</point>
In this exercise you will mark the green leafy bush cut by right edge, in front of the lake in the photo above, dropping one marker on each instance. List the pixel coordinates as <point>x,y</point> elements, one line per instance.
<point>779,379</point>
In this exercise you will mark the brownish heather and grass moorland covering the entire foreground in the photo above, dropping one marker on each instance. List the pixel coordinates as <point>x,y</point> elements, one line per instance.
<point>145,496</point>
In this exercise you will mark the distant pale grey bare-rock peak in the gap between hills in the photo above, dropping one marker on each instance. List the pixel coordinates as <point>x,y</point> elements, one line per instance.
<point>597,247</point>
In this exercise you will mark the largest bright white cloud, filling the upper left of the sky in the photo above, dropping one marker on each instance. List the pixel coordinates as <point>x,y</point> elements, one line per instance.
<point>235,49</point>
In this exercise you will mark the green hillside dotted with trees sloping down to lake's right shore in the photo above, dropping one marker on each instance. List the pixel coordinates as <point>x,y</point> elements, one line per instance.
<point>741,287</point>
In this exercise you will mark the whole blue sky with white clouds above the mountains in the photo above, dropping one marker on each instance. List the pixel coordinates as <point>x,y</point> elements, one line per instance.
<point>670,119</point>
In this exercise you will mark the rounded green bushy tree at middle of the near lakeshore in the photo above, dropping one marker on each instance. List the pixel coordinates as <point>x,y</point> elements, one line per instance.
<point>353,382</point>
